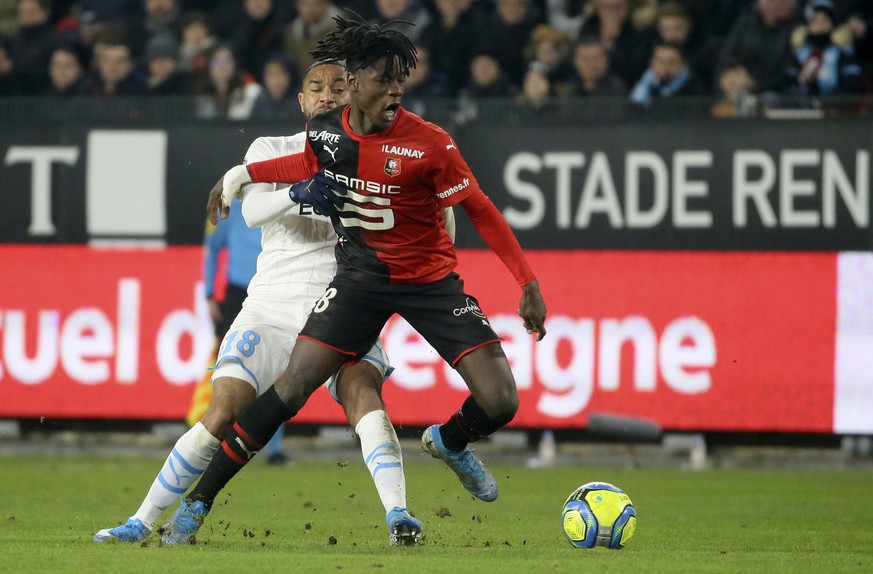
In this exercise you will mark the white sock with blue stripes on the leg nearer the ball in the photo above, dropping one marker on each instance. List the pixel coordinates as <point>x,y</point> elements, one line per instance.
<point>383,458</point>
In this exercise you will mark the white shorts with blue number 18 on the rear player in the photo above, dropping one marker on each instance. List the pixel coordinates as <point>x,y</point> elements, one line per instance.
<point>258,344</point>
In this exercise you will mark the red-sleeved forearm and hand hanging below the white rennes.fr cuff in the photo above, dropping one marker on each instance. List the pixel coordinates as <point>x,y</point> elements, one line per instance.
<point>499,236</point>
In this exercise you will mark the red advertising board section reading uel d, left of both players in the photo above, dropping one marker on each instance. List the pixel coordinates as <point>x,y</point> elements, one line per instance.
<point>91,333</point>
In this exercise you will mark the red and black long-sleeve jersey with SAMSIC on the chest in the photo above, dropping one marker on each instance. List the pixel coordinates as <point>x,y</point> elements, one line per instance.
<point>390,227</point>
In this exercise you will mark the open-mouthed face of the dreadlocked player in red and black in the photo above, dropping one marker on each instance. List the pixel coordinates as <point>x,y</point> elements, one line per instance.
<point>376,96</point>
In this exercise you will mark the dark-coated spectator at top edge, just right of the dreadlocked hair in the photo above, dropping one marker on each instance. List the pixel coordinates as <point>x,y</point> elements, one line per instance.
<point>451,38</point>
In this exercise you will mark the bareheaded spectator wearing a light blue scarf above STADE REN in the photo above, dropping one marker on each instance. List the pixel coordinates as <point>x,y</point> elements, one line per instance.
<point>668,76</point>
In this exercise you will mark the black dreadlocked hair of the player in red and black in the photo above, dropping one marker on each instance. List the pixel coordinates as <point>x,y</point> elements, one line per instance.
<point>361,45</point>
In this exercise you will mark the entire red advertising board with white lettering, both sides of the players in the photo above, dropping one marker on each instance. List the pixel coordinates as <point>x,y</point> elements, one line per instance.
<point>703,341</point>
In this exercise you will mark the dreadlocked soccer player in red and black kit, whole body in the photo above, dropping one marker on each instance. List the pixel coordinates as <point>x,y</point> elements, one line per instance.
<point>384,174</point>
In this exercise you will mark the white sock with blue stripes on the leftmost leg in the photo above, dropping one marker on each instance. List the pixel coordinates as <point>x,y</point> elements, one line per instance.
<point>186,463</point>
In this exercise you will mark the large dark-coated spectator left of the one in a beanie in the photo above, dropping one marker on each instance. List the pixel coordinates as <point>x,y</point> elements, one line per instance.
<point>761,40</point>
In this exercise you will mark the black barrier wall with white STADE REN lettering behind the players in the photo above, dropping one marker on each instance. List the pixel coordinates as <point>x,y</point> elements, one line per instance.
<point>663,185</point>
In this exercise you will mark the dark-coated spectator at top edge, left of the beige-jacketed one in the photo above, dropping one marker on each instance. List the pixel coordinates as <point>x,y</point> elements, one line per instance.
<point>258,34</point>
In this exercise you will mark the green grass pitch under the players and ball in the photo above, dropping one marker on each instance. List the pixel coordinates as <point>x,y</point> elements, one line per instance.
<point>326,517</point>
